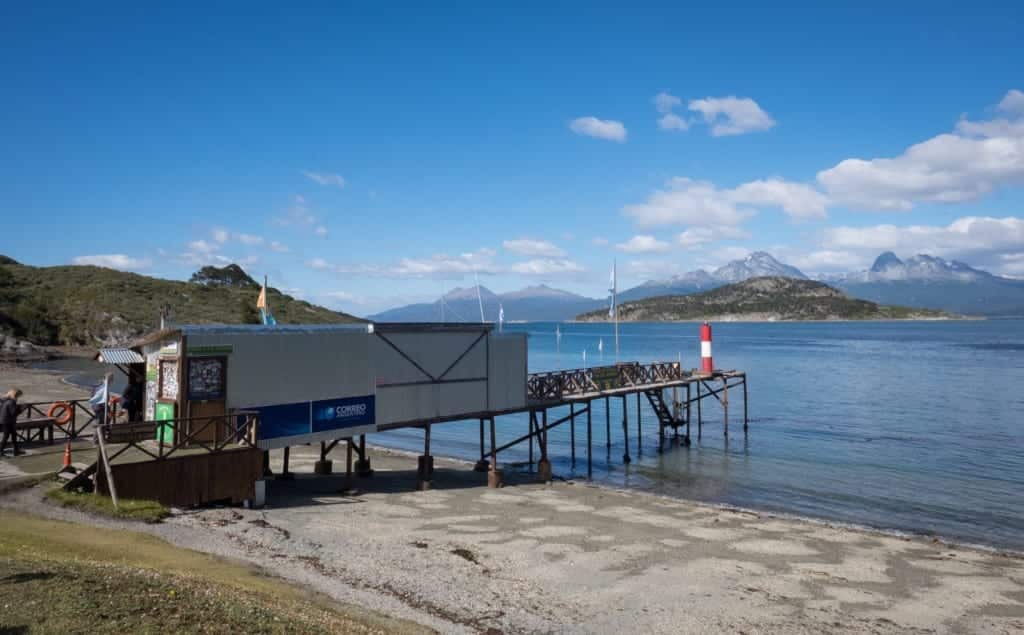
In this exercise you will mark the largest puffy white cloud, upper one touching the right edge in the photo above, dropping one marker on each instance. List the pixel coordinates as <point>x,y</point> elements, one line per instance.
<point>963,165</point>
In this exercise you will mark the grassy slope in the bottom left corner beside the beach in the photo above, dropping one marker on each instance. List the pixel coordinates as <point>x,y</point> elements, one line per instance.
<point>64,578</point>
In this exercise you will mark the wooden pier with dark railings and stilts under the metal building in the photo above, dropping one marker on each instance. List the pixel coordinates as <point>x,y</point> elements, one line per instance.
<point>196,457</point>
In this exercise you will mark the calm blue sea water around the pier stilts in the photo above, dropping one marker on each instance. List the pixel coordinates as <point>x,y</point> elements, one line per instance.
<point>910,427</point>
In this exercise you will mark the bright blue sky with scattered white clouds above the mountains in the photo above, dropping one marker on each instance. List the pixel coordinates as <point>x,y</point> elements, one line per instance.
<point>366,156</point>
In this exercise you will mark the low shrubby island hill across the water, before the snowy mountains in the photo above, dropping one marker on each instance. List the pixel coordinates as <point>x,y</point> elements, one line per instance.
<point>762,300</point>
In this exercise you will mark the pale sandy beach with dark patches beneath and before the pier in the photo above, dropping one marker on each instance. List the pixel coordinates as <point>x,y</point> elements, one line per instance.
<point>573,558</point>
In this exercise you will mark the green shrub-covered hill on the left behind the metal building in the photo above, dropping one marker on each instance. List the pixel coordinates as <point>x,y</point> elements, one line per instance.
<point>88,306</point>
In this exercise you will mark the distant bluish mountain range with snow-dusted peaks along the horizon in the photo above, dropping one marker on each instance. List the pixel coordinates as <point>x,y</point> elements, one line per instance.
<point>921,282</point>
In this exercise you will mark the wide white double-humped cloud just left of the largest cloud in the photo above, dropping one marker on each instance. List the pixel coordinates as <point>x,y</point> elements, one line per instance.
<point>695,203</point>
